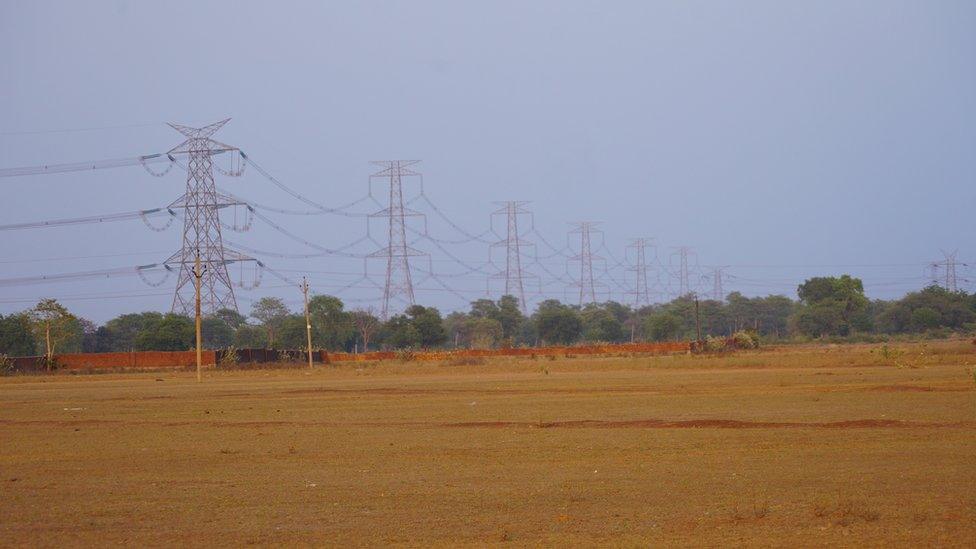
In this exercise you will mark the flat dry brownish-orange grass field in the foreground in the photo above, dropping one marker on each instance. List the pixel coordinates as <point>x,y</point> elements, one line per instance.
<point>848,445</point>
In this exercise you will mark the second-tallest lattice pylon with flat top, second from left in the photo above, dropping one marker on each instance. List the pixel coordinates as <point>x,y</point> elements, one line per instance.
<point>397,252</point>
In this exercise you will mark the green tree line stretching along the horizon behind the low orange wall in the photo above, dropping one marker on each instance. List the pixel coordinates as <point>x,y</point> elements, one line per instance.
<point>826,307</point>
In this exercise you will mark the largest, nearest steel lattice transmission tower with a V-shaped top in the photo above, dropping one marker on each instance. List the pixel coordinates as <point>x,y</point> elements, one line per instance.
<point>201,226</point>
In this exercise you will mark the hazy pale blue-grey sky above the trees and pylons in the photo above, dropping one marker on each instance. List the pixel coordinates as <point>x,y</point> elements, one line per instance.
<point>781,140</point>
